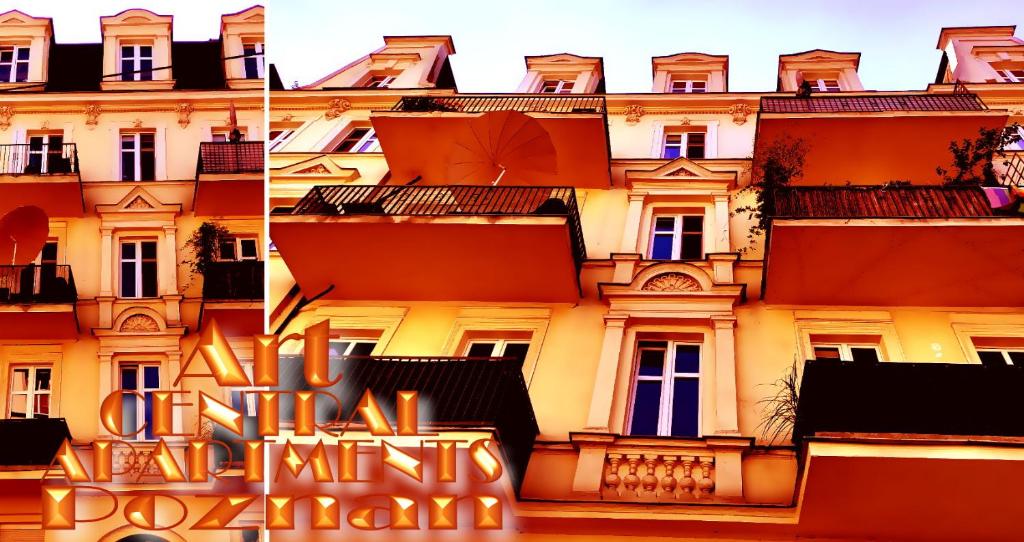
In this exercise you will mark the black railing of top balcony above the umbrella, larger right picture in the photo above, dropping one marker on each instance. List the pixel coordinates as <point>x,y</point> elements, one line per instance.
<point>485,104</point>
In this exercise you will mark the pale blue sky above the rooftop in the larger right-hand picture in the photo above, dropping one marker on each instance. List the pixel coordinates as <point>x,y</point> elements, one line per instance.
<point>311,38</point>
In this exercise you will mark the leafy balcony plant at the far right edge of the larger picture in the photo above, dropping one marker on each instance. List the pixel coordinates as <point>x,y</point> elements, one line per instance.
<point>972,159</point>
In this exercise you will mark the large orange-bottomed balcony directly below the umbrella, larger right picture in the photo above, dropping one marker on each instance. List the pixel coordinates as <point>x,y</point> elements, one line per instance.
<point>435,243</point>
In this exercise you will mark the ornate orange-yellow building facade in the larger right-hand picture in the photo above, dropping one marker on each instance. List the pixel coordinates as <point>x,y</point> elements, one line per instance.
<point>611,254</point>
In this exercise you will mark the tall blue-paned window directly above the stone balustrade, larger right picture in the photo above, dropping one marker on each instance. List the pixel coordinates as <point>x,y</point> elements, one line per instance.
<point>667,390</point>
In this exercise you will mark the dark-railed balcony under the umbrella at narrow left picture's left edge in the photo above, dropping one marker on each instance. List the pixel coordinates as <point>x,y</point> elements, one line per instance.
<point>37,303</point>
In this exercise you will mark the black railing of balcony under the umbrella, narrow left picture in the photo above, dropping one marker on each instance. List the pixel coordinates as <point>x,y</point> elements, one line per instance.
<point>37,284</point>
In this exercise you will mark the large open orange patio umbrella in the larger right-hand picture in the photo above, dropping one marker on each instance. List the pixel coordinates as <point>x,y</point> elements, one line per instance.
<point>503,146</point>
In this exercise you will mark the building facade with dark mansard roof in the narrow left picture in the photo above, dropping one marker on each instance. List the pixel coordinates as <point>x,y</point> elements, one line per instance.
<point>127,147</point>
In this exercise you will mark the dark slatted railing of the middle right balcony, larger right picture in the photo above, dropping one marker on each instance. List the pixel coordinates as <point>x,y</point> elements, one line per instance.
<point>882,202</point>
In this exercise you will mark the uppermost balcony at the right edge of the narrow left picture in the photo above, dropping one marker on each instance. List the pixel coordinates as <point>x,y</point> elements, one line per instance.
<point>230,180</point>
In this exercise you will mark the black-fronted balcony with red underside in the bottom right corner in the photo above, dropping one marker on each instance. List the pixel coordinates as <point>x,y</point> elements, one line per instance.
<point>902,451</point>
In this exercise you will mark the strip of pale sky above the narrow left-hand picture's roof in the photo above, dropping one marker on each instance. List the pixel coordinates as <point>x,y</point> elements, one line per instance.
<point>78,21</point>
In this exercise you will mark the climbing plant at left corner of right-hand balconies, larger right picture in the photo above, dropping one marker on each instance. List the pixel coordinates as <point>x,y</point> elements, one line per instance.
<point>773,169</point>
